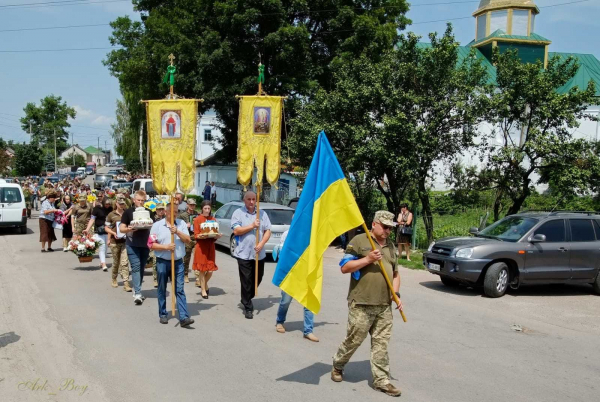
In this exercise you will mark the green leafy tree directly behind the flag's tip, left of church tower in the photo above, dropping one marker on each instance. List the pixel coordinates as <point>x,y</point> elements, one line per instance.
<point>395,118</point>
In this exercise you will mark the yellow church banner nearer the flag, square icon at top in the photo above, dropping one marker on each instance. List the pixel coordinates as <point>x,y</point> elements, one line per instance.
<point>259,137</point>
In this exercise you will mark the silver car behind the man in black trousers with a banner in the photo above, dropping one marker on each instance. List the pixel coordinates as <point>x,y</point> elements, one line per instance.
<point>279,215</point>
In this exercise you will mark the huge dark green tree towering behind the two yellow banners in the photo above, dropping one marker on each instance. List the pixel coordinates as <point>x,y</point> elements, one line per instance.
<point>217,45</point>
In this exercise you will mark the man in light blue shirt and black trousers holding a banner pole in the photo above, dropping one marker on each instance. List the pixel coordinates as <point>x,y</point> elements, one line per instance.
<point>245,225</point>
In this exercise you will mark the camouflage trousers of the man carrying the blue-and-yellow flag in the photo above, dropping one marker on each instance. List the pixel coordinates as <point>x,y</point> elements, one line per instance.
<point>362,320</point>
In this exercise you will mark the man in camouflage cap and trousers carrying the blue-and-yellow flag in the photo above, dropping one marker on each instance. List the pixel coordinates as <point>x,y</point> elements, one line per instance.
<point>369,301</point>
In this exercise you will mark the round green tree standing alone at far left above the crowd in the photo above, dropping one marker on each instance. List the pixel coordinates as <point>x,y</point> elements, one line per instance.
<point>49,118</point>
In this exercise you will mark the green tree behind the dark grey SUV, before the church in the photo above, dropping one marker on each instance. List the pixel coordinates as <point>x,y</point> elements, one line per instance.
<point>535,121</point>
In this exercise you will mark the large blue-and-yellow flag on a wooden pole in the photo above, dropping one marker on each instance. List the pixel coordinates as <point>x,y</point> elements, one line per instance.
<point>326,210</point>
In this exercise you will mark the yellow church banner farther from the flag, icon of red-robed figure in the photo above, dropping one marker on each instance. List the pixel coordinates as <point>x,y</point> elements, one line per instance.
<point>172,141</point>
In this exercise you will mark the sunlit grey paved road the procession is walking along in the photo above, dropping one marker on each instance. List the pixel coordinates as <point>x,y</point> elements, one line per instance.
<point>62,320</point>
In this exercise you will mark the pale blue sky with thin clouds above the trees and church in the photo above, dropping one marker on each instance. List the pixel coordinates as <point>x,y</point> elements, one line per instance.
<point>81,79</point>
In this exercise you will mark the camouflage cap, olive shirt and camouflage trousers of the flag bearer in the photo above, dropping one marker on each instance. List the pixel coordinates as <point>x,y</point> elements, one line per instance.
<point>369,305</point>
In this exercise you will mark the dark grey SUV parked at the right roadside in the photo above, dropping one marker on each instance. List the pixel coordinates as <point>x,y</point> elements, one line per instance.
<point>522,249</point>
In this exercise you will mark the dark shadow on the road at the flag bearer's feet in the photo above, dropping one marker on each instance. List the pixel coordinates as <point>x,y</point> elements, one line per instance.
<point>354,372</point>
